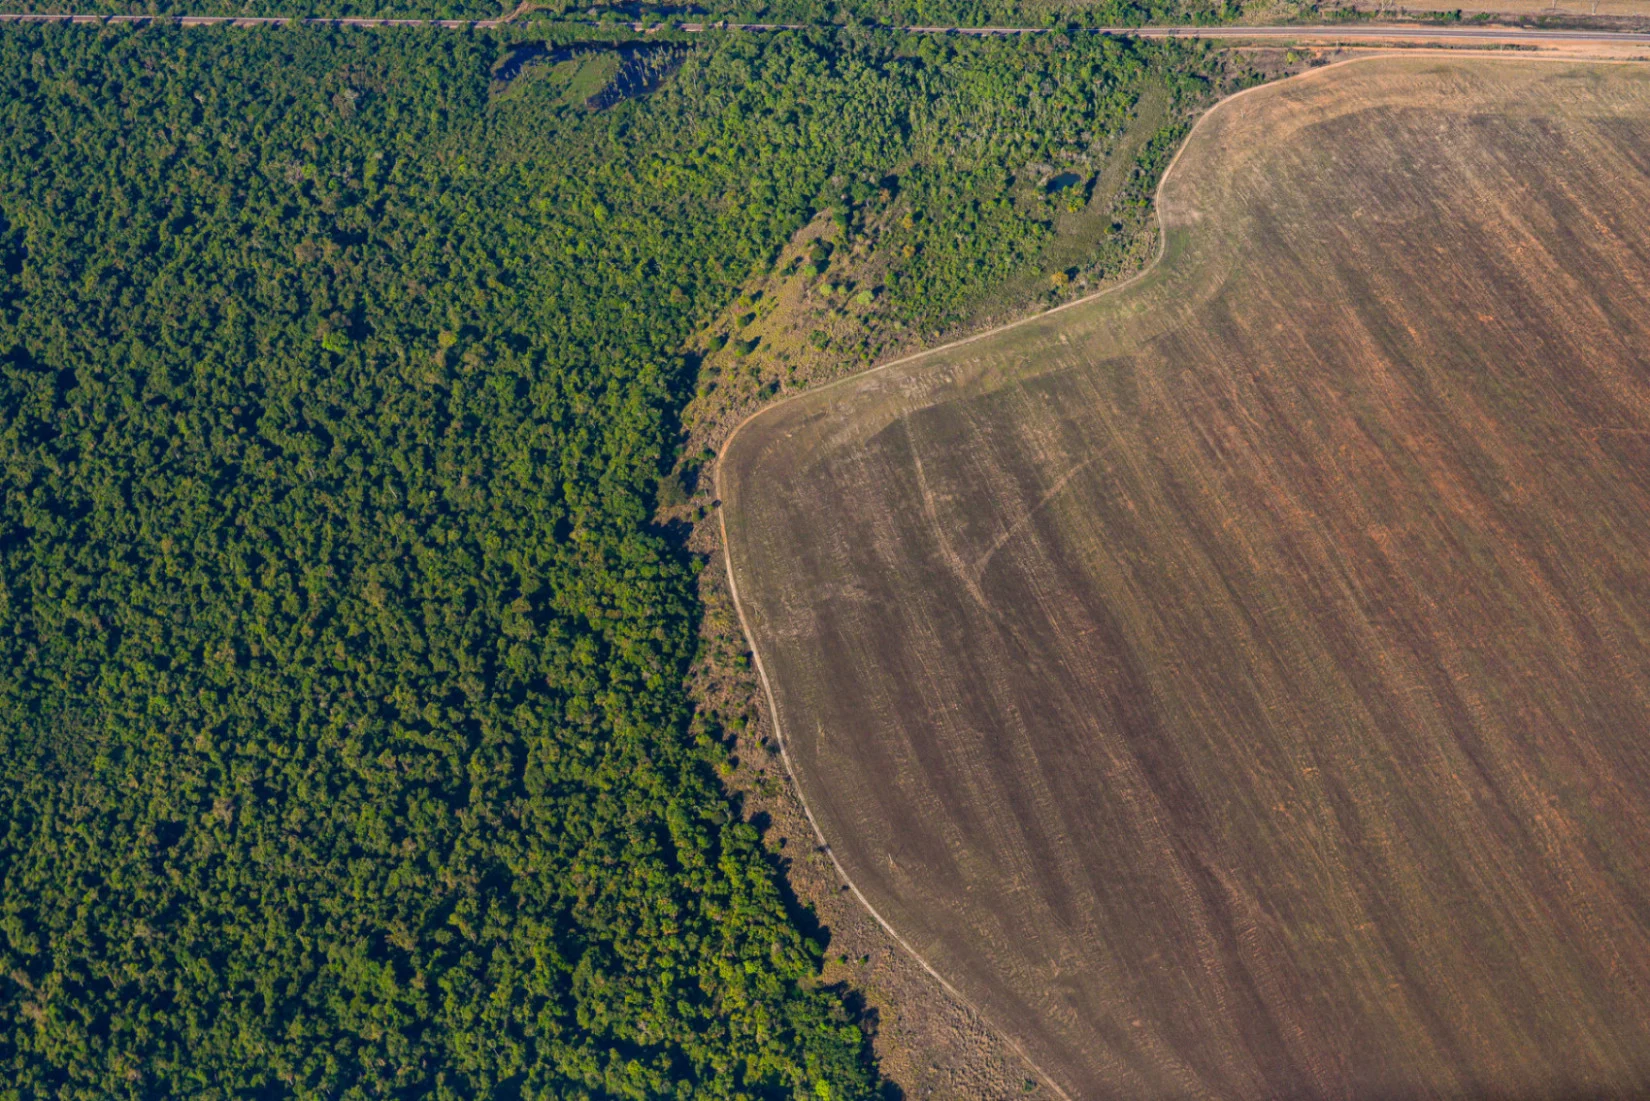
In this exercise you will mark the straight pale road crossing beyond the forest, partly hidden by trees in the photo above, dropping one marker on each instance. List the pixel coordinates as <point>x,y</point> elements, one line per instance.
<point>1354,32</point>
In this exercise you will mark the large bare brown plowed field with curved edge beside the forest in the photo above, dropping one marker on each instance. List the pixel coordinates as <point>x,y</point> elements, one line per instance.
<point>1238,686</point>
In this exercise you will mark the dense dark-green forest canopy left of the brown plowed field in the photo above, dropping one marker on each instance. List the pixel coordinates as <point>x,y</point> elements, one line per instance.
<point>344,740</point>
